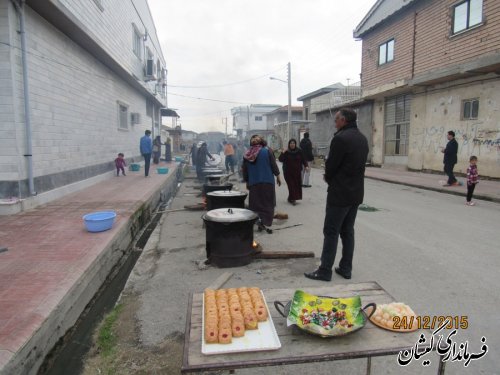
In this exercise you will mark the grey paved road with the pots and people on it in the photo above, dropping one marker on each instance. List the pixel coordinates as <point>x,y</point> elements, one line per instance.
<point>426,248</point>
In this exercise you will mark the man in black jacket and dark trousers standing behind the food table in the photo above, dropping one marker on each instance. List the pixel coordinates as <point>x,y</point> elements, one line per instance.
<point>344,174</point>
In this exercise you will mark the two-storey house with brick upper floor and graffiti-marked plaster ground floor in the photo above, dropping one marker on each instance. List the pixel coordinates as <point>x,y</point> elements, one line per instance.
<point>432,66</point>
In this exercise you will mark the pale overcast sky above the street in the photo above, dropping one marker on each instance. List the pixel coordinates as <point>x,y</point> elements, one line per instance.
<point>221,53</point>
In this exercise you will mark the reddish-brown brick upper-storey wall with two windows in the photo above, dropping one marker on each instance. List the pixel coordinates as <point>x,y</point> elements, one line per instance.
<point>434,47</point>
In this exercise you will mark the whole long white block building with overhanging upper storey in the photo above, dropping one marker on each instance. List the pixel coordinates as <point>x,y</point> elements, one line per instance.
<point>89,85</point>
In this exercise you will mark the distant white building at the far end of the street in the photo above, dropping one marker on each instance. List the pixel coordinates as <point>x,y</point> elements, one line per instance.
<point>248,119</point>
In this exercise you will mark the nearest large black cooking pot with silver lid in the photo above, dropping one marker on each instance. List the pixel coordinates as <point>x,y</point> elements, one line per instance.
<point>229,236</point>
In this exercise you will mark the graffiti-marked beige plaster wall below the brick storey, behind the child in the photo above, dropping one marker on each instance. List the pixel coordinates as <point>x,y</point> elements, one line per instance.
<point>434,114</point>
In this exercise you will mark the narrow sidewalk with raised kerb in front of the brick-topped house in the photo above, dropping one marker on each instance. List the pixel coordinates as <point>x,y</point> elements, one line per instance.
<point>486,189</point>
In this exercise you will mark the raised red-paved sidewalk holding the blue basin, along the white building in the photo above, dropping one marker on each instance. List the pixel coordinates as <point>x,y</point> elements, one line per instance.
<point>53,266</point>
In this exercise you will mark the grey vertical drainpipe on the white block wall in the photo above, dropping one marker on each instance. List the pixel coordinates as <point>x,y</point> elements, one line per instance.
<point>27,119</point>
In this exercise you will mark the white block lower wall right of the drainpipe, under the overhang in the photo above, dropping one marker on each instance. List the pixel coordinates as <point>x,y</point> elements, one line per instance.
<point>73,123</point>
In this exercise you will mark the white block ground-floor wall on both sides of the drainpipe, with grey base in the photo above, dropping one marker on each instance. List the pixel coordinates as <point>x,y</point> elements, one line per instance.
<point>73,106</point>
